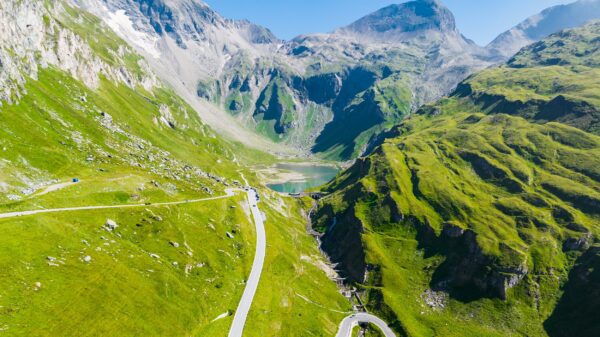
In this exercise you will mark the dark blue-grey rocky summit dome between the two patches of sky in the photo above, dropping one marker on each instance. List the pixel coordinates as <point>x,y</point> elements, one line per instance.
<point>405,19</point>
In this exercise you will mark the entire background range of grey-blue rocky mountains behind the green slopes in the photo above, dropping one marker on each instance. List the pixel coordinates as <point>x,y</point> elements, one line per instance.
<point>323,83</point>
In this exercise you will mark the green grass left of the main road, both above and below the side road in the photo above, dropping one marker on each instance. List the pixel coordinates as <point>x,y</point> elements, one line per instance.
<point>53,135</point>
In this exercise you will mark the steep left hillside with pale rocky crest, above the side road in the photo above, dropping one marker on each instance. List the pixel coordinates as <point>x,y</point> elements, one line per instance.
<point>74,102</point>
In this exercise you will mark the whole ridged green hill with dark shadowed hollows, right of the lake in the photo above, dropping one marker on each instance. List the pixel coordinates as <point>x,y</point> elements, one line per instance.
<point>482,216</point>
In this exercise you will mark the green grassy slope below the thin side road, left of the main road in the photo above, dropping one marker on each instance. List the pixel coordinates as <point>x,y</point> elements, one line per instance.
<point>123,291</point>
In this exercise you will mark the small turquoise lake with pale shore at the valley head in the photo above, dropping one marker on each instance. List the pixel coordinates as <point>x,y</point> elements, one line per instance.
<point>312,176</point>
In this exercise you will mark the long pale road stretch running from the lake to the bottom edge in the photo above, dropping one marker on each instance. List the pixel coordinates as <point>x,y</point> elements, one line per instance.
<point>241,314</point>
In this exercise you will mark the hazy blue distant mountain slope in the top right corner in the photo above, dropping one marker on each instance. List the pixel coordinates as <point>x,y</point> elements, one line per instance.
<point>540,26</point>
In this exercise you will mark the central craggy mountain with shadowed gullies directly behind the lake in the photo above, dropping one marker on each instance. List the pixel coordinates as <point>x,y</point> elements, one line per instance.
<point>335,94</point>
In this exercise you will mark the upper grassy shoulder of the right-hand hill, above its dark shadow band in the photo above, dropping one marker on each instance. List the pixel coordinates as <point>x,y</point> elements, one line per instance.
<point>557,79</point>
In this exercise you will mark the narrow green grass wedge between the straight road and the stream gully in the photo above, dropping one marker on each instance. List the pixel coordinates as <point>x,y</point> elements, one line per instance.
<point>294,298</point>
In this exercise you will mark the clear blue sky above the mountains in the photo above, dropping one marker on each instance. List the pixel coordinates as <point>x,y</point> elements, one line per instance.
<point>479,20</point>
